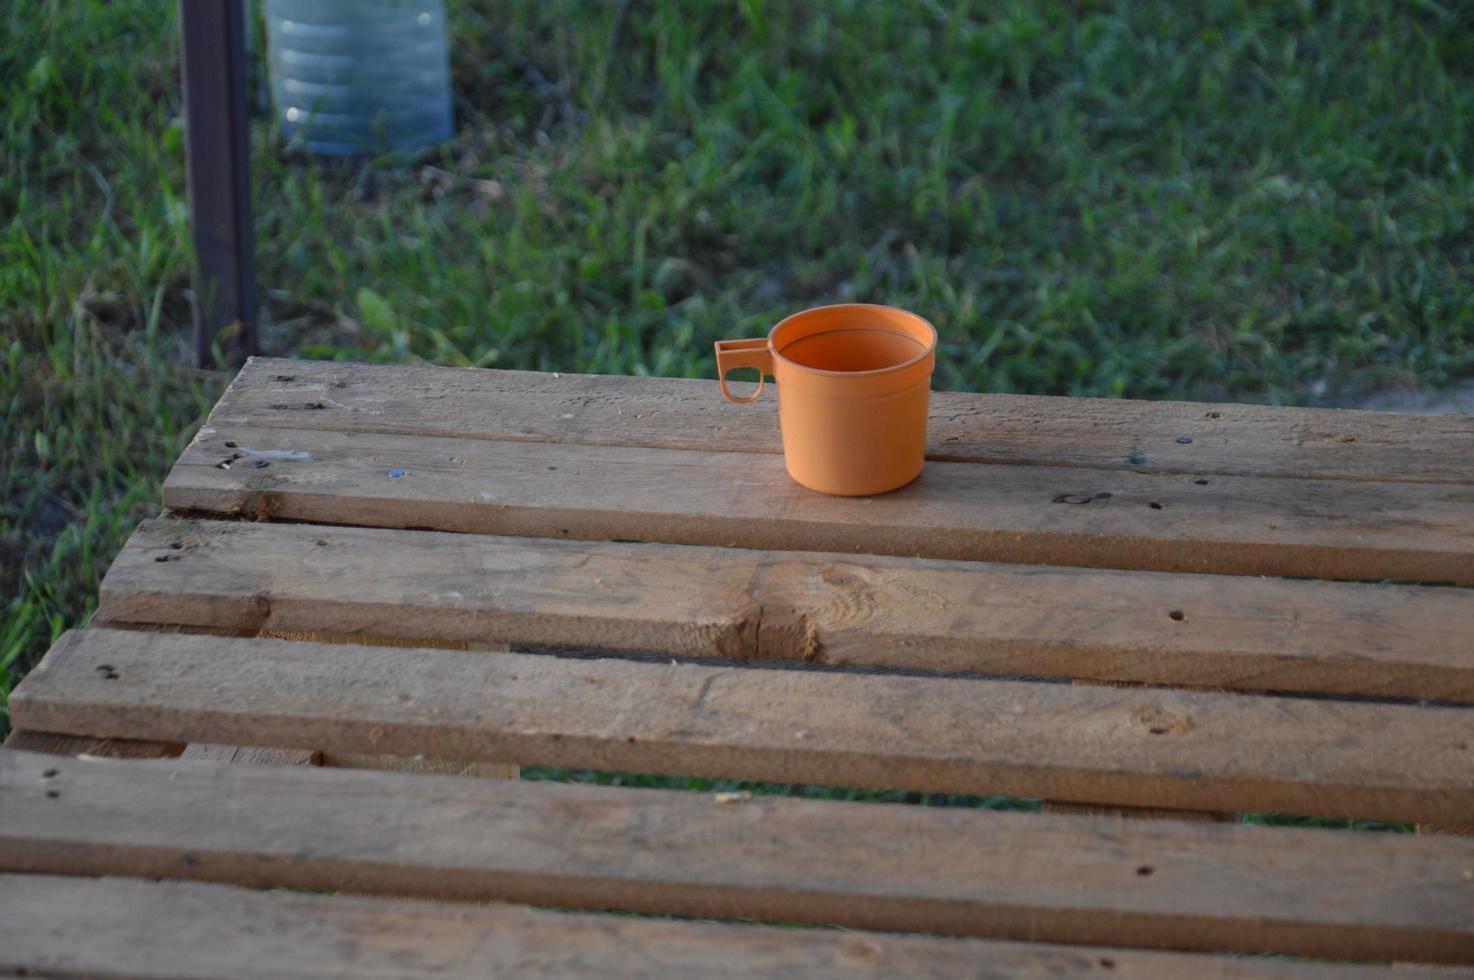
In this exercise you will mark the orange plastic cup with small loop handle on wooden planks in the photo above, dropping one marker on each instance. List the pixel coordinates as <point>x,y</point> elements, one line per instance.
<point>854,382</point>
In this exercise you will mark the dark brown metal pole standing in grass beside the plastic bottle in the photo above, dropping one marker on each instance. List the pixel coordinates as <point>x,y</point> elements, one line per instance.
<point>213,39</point>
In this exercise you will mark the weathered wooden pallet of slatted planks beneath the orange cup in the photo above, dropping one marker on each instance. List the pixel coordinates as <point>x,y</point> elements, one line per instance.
<point>349,549</point>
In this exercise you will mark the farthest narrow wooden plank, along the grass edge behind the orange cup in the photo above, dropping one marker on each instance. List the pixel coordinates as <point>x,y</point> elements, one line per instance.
<point>1015,430</point>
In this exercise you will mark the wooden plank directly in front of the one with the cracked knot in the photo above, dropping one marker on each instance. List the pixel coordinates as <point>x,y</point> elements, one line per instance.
<point>1136,748</point>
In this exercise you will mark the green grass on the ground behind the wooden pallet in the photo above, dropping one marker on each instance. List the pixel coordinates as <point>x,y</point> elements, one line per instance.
<point>1227,201</point>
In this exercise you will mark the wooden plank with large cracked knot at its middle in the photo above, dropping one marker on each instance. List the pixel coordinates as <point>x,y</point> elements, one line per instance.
<point>876,612</point>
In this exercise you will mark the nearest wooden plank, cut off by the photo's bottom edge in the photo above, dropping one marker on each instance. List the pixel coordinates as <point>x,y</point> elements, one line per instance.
<point>97,928</point>
